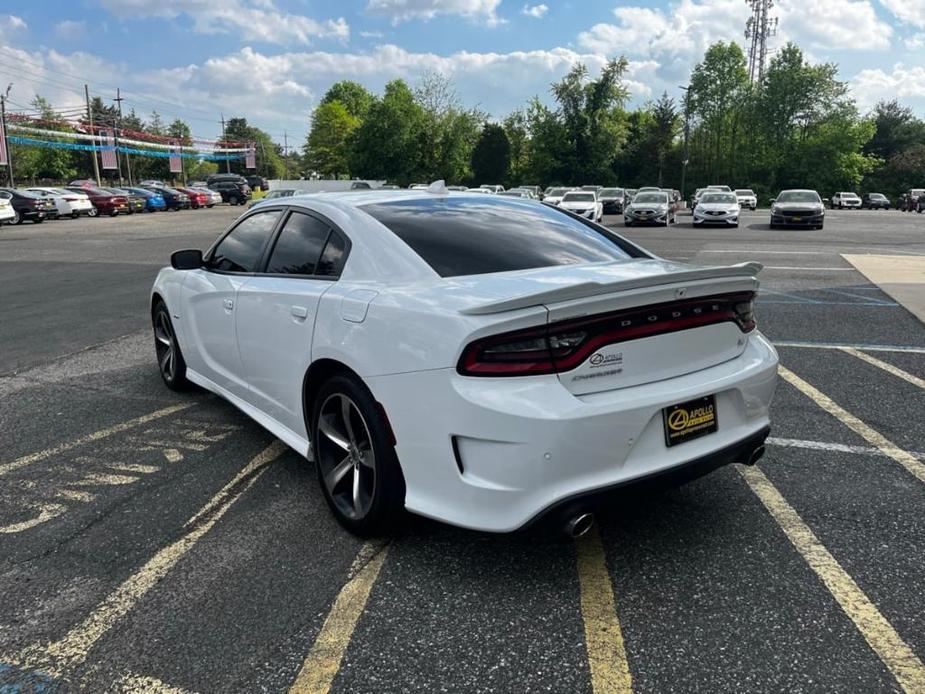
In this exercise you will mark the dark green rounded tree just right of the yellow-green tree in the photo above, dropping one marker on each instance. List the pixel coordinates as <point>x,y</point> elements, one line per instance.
<point>387,145</point>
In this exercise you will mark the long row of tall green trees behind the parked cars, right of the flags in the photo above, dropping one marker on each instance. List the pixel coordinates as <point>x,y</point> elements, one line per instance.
<point>797,127</point>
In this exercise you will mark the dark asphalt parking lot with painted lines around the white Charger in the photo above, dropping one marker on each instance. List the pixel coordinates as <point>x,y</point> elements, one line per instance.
<point>163,543</point>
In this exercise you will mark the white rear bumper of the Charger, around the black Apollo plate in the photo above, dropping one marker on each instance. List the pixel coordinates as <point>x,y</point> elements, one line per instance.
<point>497,453</point>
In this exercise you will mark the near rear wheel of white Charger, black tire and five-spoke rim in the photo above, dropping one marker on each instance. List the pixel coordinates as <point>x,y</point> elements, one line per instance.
<point>358,470</point>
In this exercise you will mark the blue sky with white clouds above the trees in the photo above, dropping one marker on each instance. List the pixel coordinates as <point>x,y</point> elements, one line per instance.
<point>271,60</point>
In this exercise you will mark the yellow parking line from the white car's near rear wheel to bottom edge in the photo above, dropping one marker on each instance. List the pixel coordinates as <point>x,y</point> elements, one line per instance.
<point>323,660</point>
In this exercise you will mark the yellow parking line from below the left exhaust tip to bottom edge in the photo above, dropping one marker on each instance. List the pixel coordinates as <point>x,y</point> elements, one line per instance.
<point>610,670</point>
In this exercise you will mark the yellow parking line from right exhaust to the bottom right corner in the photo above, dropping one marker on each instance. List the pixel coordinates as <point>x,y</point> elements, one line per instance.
<point>895,653</point>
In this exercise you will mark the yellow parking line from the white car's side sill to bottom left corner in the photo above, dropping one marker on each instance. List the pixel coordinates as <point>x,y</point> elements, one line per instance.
<point>71,650</point>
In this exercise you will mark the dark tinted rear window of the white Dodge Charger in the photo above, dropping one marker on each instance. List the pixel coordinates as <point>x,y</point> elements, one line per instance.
<point>473,236</point>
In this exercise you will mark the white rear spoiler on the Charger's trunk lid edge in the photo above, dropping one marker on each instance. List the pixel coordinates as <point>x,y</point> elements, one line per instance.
<point>587,289</point>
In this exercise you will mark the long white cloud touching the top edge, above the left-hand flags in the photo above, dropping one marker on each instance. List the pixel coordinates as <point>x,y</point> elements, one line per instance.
<point>255,21</point>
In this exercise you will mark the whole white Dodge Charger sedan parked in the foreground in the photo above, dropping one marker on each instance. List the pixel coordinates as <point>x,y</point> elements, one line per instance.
<point>476,359</point>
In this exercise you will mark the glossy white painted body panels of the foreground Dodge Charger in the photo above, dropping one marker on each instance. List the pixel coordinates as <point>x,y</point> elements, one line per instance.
<point>524,442</point>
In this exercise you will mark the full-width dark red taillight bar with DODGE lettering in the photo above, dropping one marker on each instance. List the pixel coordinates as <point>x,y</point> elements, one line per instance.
<point>565,345</point>
